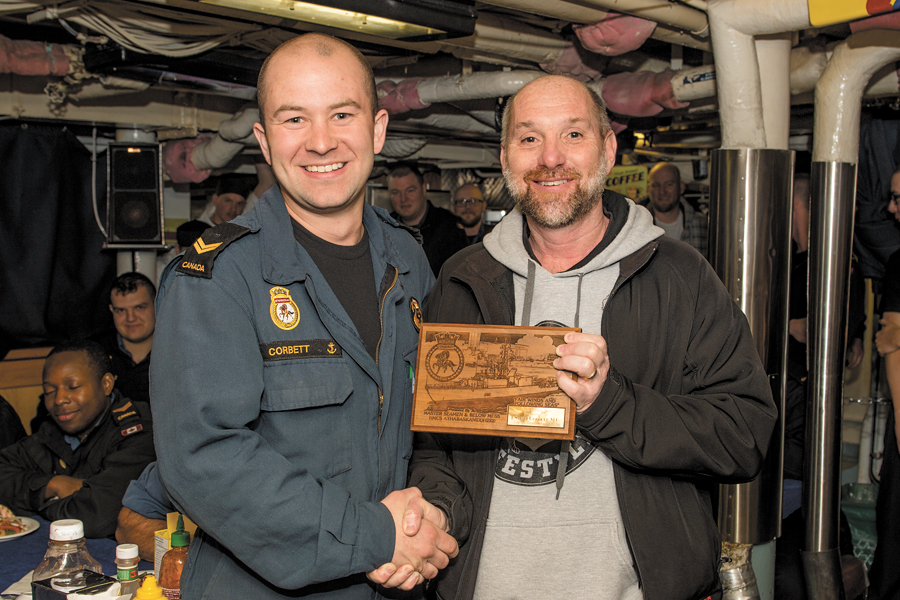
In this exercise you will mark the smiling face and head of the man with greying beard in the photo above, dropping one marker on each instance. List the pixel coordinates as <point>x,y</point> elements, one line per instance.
<point>556,159</point>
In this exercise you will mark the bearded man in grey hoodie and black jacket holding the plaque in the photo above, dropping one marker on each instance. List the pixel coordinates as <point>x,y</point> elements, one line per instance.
<point>670,393</point>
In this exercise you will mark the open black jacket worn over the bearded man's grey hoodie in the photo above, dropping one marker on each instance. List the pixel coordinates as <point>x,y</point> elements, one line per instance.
<point>686,404</point>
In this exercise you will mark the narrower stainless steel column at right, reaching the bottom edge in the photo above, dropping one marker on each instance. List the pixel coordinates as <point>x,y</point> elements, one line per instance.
<point>832,199</point>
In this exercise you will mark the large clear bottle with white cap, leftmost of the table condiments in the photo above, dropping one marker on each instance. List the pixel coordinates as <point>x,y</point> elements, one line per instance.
<point>66,556</point>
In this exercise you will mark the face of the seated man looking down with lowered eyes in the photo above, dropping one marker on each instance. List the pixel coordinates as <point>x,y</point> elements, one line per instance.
<point>75,394</point>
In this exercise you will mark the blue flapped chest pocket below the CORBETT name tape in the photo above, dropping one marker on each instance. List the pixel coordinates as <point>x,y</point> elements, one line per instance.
<point>305,414</point>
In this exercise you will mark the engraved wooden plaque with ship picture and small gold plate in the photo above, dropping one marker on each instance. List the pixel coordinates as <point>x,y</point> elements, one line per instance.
<point>491,380</point>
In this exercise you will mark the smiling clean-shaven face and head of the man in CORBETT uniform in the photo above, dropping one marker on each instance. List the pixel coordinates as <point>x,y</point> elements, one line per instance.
<point>320,135</point>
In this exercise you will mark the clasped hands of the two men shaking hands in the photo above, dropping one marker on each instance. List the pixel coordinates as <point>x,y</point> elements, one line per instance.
<point>422,545</point>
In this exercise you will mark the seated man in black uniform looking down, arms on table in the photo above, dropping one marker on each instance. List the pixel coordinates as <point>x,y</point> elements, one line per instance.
<point>79,463</point>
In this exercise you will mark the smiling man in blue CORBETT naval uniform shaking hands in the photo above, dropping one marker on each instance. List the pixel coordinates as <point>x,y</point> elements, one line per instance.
<point>283,400</point>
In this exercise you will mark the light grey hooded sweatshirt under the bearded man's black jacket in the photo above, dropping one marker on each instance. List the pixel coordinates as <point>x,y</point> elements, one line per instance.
<point>540,539</point>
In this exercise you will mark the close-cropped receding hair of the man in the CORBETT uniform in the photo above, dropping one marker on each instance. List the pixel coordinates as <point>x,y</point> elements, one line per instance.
<point>312,45</point>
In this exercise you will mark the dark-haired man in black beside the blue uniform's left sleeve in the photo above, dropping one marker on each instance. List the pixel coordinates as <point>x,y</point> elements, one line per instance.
<point>131,304</point>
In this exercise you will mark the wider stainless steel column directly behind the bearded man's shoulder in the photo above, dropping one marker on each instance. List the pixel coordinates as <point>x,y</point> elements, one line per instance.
<point>750,219</point>
